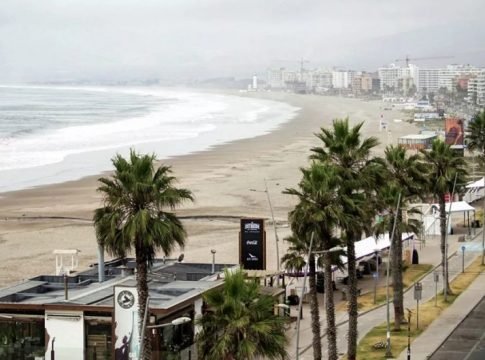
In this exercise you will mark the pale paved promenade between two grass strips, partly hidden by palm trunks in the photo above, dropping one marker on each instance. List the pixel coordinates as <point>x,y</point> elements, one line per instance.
<point>430,254</point>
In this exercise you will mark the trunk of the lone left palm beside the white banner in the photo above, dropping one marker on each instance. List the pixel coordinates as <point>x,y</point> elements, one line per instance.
<point>142,288</point>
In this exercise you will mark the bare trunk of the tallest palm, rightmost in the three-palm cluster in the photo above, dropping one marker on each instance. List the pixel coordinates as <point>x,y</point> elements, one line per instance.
<point>353,305</point>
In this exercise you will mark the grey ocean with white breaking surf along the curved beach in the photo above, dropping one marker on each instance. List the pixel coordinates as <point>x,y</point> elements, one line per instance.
<point>52,134</point>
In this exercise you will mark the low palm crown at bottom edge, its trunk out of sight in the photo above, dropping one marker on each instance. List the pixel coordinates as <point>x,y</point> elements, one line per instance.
<point>240,323</point>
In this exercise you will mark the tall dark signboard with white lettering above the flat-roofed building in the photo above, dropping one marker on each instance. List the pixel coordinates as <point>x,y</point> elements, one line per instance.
<point>252,249</point>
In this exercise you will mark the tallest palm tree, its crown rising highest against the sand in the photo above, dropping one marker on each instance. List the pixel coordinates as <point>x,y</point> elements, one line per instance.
<point>343,146</point>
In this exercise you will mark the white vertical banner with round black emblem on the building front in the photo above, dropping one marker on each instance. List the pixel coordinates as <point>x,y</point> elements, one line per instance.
<point>127,338</point>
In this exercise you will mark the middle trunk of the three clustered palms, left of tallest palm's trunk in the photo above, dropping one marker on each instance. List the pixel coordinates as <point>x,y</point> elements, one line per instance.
<point>330,309</point>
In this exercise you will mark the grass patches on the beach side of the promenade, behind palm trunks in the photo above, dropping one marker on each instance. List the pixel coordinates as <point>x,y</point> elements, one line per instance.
<point>366,301</point>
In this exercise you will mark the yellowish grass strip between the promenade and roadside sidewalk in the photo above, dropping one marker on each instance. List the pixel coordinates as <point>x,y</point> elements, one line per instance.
<point>428,312</point>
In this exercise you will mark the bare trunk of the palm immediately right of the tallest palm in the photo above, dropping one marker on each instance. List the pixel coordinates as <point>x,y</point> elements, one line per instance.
<point>397,269</point>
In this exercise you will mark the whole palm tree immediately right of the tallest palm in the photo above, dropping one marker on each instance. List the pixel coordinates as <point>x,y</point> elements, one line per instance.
<point>406,176</point>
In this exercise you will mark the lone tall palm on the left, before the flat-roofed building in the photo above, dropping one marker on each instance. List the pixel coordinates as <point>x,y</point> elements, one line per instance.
<point>133,217</point>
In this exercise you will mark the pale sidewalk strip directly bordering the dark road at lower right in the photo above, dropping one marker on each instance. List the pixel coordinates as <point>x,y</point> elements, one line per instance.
<point>432,338</point>
